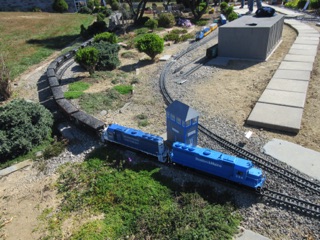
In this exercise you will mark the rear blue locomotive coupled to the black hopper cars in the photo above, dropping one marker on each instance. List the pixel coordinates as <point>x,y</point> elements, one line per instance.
<point>136,139</point>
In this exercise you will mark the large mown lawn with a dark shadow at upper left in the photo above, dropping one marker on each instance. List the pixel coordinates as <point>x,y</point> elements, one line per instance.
<point>28,38</point>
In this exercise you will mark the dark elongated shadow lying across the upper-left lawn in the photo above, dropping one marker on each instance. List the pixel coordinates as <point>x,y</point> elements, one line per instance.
<point>55,43</point>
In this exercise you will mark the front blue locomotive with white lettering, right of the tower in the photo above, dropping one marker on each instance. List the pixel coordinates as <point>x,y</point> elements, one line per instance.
<point>218,164</point>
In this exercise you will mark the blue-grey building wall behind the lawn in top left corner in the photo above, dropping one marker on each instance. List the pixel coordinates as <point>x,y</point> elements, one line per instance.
<point>27,5</point>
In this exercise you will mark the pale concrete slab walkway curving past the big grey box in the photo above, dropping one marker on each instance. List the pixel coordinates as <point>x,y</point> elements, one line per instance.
<point>281,105</point>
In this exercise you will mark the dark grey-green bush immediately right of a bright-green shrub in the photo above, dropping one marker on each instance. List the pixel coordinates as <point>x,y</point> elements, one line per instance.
<point>108,59</point>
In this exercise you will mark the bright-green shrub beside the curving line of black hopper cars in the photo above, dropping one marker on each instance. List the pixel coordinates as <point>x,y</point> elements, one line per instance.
<point>88,58</point>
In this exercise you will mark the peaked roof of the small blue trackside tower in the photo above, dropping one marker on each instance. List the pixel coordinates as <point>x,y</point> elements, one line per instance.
<point>182,110</point>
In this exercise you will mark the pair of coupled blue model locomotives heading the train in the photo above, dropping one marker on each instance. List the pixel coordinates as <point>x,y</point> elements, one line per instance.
<point>214,163</point>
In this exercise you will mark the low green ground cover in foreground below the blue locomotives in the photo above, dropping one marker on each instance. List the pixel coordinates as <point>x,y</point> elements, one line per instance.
<point>136,201</point>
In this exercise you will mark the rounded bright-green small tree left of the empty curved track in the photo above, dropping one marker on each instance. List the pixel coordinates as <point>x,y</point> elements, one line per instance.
<point>151,44</point>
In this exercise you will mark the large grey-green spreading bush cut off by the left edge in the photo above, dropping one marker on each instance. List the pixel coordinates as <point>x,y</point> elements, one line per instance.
<point>23,125</point>
